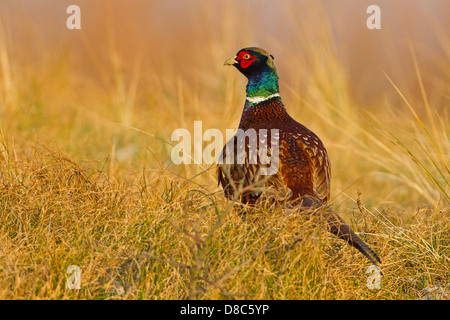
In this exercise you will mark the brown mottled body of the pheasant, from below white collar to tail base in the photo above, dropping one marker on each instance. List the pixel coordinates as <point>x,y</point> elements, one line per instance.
<point>302,164</point>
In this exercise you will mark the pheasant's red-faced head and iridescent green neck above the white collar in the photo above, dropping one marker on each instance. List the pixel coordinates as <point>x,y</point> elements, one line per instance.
<point>257,65</point>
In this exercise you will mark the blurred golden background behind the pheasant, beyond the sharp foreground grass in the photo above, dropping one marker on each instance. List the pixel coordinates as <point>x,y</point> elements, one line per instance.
<point>113,92</point>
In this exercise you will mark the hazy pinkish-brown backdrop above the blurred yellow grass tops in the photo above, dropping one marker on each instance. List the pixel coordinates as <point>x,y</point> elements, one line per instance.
<point>176,32</point>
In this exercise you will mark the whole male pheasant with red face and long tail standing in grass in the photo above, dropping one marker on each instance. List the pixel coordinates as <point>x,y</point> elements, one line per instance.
<point>298,159</point>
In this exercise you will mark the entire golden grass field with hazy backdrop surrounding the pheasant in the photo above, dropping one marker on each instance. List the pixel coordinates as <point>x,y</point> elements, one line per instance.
<point>86,176</point>
